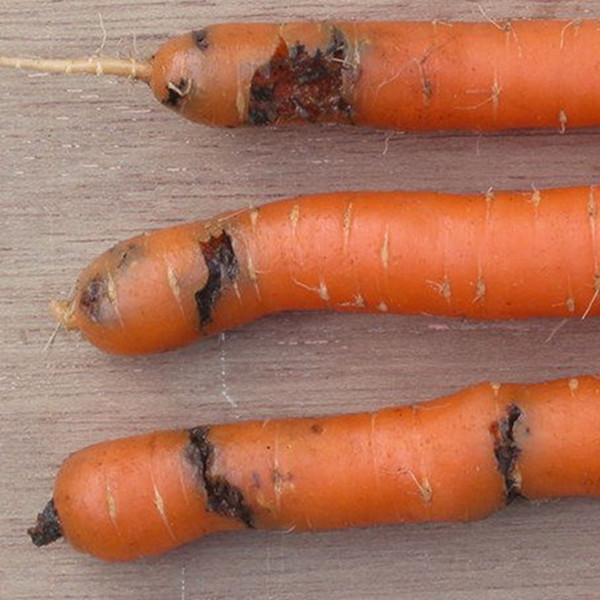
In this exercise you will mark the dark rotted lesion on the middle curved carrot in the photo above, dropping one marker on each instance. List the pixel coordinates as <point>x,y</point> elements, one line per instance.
<point>222,266</point>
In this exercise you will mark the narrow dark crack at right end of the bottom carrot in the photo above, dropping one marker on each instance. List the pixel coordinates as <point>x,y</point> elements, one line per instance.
<point>507,452</point>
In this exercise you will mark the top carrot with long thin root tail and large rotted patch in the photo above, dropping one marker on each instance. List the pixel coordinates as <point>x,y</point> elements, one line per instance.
<point>404,75</point>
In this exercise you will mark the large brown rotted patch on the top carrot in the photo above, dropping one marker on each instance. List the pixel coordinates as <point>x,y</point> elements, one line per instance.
<point>298,85</point>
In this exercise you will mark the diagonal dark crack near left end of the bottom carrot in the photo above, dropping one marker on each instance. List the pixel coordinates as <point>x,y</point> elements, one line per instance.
<point>222,497</point>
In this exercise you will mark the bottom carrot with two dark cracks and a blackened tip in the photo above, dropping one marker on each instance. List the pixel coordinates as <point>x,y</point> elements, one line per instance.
<point>458,458</point>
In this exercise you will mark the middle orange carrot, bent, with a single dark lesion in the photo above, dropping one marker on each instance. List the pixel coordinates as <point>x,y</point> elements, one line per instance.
<point>494,256</point>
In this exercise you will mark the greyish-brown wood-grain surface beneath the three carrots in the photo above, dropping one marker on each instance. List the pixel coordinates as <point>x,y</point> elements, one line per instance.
<point>85,162</point>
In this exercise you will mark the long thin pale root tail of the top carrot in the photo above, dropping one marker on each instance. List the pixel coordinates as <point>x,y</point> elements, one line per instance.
<point>134,69</point>
